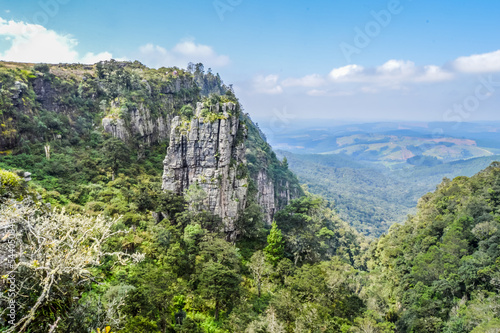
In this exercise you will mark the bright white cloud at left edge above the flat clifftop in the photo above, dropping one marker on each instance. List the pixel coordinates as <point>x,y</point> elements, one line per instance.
<point>35,43</point>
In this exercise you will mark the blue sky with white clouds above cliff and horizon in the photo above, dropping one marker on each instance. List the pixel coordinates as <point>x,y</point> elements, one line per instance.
<point>332,60</point>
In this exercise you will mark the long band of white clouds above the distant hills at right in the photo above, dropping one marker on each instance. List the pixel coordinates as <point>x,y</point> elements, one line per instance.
<point>394,74</point>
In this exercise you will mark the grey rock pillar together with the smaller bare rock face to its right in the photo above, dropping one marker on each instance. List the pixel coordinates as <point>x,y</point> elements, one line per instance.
<point>211,155</point>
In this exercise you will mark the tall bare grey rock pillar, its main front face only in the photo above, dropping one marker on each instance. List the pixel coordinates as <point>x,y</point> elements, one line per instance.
<point>206,153</point>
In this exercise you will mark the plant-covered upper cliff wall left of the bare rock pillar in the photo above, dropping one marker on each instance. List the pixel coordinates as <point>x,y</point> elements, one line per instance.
<point>64,103</point>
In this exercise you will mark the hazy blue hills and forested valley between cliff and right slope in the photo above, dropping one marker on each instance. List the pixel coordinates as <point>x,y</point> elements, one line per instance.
<point>375,173</point>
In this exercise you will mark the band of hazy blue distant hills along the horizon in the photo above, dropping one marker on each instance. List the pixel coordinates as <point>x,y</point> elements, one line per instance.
<point>394,142</point>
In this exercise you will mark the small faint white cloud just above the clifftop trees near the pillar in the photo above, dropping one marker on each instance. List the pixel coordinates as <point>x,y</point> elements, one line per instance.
<point>181,54</point>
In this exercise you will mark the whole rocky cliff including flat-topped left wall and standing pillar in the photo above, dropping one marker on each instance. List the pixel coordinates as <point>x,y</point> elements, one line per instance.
<point>218,148</point>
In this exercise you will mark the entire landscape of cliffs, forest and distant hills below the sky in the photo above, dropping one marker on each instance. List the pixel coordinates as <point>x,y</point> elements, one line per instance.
<point>145,200</point>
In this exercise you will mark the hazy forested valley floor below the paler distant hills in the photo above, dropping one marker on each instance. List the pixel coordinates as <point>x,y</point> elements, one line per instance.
<point>371,197</point>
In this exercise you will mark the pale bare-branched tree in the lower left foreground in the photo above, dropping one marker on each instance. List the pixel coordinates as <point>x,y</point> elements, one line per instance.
<point>53,246</point>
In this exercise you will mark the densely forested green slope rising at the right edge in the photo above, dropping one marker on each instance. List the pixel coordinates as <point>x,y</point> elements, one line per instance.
<point>442,266</point>
